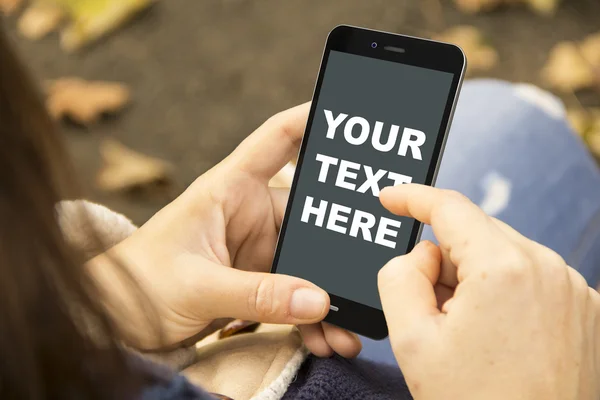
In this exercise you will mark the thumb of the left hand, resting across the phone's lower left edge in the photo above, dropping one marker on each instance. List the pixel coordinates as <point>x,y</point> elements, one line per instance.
<point>262,297</point>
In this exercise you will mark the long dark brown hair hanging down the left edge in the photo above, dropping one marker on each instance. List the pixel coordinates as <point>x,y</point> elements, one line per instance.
<point>46,347</point>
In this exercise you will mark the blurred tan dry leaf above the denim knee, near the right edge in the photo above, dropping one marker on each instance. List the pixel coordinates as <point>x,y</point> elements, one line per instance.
<point>567,70</point>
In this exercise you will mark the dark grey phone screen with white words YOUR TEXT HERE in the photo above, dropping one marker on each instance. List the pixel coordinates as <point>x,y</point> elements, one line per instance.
<point>375,124</point>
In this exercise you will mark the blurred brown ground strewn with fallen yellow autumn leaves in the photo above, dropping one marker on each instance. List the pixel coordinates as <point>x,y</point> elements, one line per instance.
<point>151,94</point>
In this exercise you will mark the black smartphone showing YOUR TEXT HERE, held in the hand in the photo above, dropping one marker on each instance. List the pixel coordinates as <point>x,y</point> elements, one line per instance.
<point>380,116</point>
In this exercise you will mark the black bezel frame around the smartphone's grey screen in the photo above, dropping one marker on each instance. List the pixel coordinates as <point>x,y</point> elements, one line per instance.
<point>359,318</point>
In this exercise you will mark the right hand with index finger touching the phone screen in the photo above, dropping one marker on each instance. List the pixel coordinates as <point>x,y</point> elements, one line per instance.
<point>489,314</point>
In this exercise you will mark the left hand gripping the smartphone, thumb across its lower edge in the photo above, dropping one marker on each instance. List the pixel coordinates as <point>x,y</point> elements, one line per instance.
<point>208,254</point>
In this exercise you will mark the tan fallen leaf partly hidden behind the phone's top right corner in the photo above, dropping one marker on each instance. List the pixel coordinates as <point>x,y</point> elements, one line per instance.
<point>480,56</point>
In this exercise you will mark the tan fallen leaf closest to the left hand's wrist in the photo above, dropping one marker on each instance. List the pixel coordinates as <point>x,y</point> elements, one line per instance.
<point>126,169</point>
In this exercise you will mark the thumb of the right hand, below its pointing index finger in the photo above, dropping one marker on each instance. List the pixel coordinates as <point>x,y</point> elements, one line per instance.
<point>406,289</point>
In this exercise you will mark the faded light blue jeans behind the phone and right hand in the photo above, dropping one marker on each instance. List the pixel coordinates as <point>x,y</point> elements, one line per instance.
<point>511,151</point>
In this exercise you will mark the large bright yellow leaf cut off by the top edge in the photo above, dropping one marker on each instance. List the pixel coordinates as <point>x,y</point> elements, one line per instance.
<point>92,19</point>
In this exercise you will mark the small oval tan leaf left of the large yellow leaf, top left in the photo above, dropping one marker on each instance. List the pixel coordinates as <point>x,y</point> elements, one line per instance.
<point>39,19</point>
